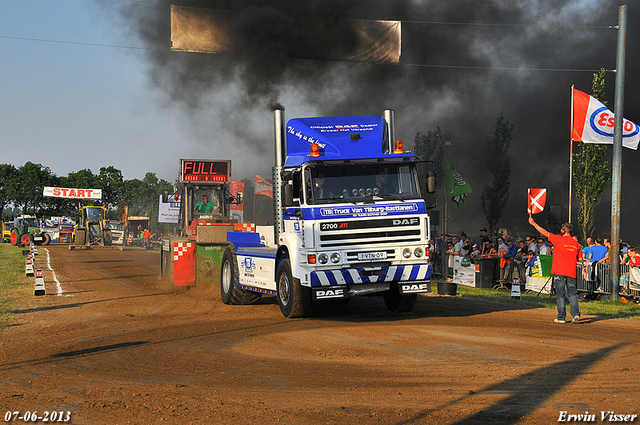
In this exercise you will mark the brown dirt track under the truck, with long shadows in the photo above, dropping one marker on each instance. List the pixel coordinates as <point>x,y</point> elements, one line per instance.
<point>120,346</point>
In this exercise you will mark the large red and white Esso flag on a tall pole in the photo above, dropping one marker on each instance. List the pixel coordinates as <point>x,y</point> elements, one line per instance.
<point>593,123</point>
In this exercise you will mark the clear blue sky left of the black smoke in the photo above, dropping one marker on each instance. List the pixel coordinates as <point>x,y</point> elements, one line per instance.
<point>75,106</point>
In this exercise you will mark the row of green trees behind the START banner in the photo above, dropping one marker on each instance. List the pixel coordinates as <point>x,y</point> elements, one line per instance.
<point>21,192</point>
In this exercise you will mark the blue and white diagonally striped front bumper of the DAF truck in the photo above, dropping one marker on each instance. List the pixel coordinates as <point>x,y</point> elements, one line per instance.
<point>400,274</point>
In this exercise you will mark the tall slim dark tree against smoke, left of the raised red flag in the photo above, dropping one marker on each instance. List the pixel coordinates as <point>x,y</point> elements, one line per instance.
<point>495,197</point>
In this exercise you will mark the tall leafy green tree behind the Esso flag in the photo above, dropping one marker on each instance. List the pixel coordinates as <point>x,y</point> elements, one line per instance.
<point>591,173</point>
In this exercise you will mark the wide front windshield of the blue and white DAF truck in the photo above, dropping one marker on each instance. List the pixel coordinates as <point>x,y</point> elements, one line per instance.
<point>354,183</point>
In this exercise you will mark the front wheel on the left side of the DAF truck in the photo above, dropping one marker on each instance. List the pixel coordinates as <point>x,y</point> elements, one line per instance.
<point>293,298</point>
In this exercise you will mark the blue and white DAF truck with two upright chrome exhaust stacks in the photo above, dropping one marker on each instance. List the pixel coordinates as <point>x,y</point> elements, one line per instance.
<point>350,220</point>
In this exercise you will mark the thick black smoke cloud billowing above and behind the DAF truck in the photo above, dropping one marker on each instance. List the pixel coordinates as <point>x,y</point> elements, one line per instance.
<point>463,62</point>
